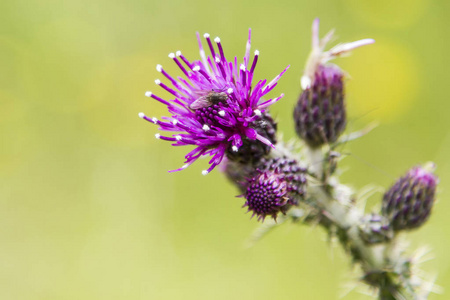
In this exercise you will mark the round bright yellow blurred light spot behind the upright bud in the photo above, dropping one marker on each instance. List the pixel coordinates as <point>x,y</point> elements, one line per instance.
<point>383,81</point>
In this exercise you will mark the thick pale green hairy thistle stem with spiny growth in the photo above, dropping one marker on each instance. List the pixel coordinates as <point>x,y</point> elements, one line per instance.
<point>385,265</point>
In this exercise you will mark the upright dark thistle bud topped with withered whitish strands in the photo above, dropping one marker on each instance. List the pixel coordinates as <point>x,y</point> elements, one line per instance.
<point>320,115</point>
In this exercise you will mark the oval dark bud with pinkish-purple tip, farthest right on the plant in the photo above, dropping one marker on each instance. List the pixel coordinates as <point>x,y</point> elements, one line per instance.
<point>408,203</point>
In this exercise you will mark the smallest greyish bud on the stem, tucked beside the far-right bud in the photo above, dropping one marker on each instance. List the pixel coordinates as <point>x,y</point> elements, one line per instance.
<point>375,229</point>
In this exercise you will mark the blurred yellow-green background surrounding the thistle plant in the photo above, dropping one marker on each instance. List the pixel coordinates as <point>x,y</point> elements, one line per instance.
<point>87,208</point>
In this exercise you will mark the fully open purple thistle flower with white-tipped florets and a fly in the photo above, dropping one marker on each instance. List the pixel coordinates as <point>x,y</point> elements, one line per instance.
<point>216,107</point>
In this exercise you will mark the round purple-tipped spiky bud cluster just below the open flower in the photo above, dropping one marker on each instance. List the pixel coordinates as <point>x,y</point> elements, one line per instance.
<point>275,186</point>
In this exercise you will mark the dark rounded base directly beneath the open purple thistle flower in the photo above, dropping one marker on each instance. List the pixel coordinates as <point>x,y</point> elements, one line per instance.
<point>251,151</point>
